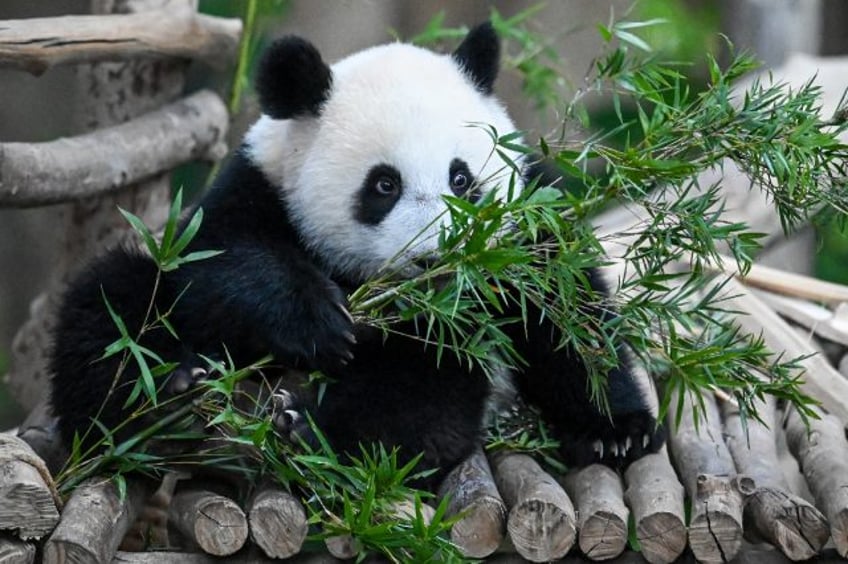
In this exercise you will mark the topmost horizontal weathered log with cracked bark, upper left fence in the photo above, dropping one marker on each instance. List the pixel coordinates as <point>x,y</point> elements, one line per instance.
<point>36,44</point>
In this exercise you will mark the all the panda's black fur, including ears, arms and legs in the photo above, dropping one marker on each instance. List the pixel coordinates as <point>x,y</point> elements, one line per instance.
<point>268,293</point>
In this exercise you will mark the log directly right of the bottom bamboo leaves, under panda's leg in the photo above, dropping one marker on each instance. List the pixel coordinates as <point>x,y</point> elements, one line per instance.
<point>472,492</point>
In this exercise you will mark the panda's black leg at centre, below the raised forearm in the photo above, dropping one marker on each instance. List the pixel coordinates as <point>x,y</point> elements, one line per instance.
<point>395,392</point>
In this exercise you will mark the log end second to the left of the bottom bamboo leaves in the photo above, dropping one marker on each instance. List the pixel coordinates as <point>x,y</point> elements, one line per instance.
<point>213,522</point>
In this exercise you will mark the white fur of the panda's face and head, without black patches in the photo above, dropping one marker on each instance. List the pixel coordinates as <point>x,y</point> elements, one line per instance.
<point>394,104</point>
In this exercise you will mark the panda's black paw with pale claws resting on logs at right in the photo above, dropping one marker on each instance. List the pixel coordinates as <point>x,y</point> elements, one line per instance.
<point>616,443</point>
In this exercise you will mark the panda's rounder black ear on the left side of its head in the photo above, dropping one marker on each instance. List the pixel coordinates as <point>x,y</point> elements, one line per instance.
<point>292,80</point>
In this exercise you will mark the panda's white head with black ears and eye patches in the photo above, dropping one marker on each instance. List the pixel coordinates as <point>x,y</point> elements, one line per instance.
<point>364,151</point>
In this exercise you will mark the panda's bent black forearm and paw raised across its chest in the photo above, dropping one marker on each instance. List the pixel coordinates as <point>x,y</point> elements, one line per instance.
<point>255,299</point>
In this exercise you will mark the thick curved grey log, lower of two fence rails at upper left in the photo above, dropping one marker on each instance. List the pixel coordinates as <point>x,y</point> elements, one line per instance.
<point>37,174</point>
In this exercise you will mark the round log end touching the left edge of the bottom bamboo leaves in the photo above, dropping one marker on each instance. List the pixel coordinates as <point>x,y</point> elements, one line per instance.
<point>277,522</point>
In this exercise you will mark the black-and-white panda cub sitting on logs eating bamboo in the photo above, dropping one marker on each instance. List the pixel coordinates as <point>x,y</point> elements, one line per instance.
<point>346,166</point>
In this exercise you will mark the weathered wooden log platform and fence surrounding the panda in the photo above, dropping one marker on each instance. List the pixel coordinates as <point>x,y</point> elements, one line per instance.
<point>511,509</point>
